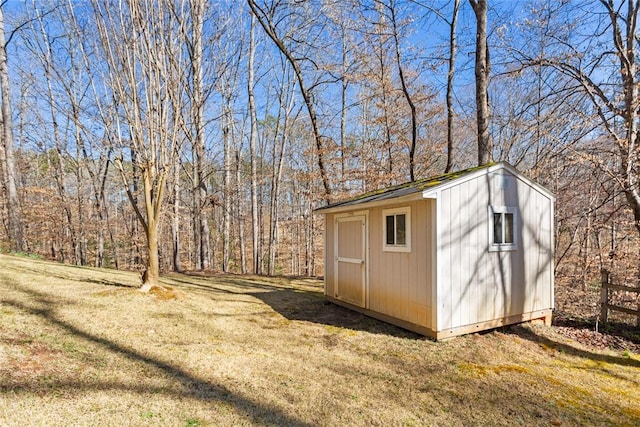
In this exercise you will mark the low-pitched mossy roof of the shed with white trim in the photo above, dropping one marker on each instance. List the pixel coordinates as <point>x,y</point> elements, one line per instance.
<point>422,185</point>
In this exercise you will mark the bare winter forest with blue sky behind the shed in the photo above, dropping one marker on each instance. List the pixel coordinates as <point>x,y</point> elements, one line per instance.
<point>198,135</point>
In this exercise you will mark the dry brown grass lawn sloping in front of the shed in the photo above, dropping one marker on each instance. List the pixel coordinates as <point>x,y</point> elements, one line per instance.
<point>80,346</point>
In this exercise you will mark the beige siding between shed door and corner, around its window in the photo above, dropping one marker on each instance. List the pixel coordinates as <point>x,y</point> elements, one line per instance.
<point>399,282</point>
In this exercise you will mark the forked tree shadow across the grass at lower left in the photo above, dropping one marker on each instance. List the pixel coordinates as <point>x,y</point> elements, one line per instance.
<point>192,386</point>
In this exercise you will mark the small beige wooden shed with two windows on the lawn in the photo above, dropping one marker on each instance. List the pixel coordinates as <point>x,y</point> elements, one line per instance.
<point>447,255</point>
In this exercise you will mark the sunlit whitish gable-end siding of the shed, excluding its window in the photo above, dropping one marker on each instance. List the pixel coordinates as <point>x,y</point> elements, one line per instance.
<point>476,285</point>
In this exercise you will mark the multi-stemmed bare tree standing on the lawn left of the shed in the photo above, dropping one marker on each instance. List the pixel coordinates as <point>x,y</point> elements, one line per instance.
<point>143,53</point>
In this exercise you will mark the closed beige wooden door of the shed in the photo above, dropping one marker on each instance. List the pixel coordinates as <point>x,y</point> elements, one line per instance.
<point>350,261</point>
